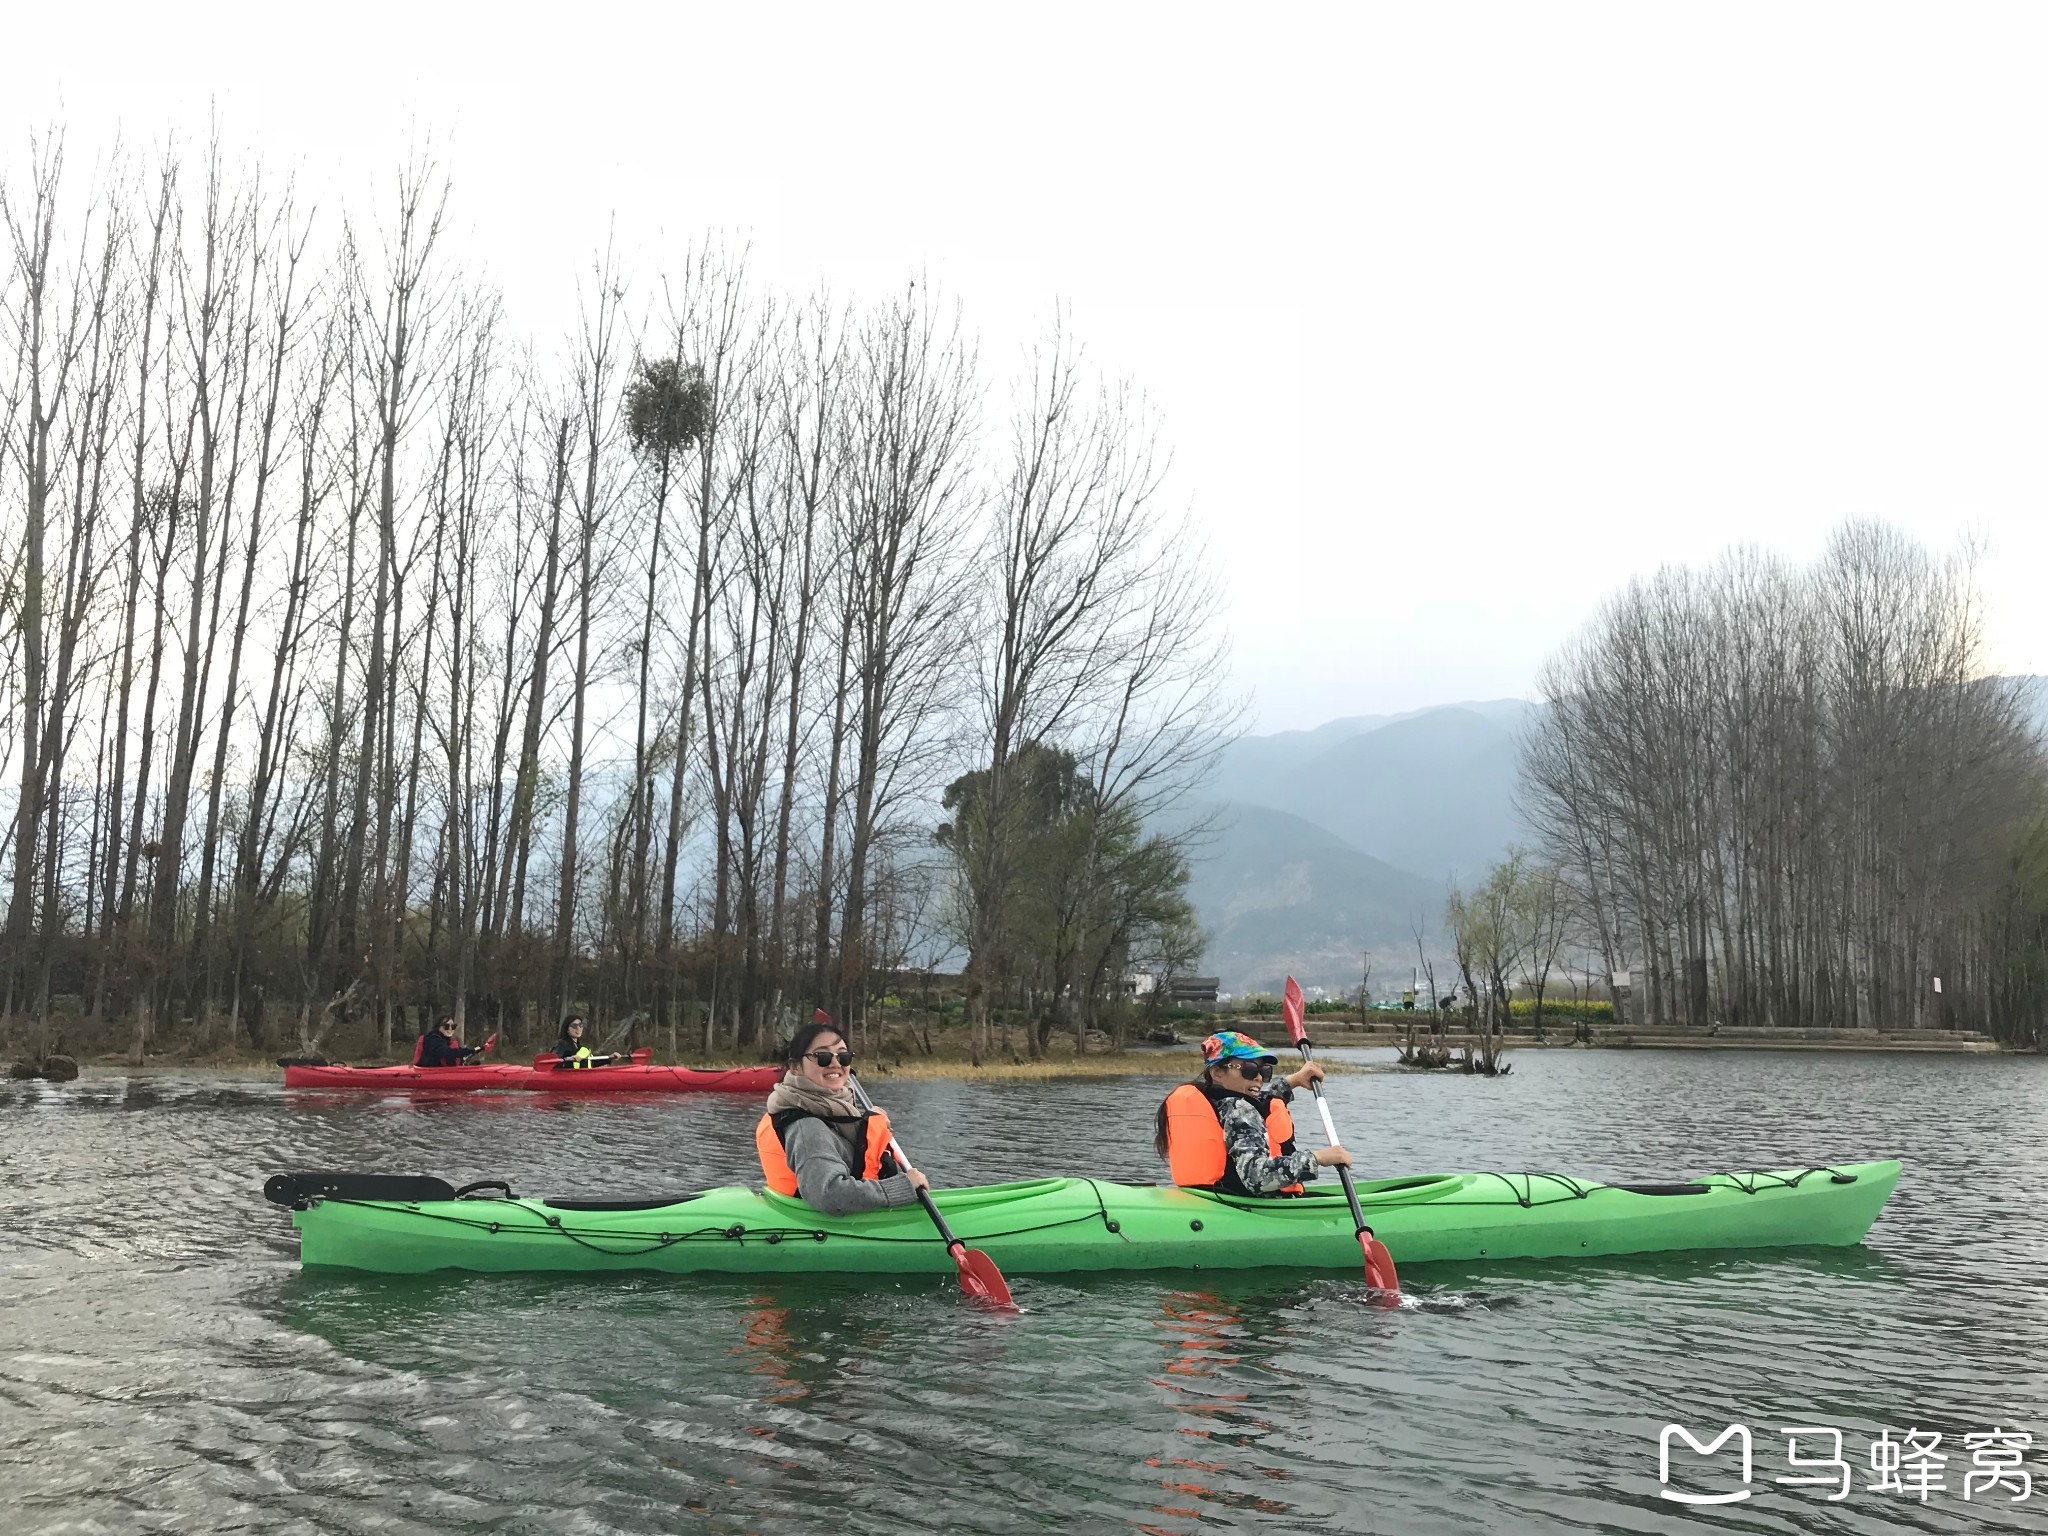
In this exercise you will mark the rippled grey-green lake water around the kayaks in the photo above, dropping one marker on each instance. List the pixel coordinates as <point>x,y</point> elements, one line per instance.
<point>167,1367</point>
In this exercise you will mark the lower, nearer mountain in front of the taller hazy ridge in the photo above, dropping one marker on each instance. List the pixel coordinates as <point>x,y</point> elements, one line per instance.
<point>1283,896</point>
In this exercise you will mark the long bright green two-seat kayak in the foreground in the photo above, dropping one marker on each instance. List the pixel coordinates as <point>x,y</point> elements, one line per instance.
<point>409,1226</point>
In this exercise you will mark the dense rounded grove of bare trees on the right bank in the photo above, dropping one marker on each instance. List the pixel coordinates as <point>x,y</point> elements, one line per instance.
<point>1779,796</point>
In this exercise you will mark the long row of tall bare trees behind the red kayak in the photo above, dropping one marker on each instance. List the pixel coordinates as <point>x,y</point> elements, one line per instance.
<point>333,634</point>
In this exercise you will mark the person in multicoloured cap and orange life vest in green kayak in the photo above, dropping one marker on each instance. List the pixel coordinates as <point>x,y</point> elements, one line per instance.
<point>1232,1129</point>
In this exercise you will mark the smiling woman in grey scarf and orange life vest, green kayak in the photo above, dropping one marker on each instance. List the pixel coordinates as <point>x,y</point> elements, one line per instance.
<point>818,1144</point>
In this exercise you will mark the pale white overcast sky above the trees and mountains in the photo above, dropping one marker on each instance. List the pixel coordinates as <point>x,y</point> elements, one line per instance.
<point>1457,314</point>
